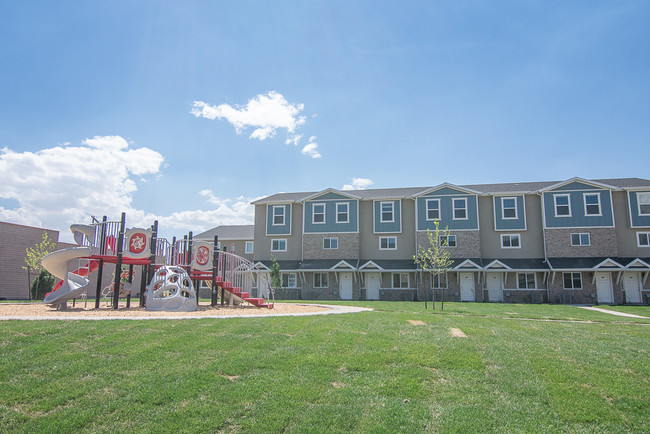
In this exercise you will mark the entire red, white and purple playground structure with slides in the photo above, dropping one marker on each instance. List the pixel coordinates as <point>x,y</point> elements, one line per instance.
<point>172,268</point>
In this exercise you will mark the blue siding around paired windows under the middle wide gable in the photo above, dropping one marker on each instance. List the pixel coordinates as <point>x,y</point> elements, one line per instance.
<point>446,211</point>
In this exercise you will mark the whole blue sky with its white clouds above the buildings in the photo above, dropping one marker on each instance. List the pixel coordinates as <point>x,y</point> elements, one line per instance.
<point>186,111</point>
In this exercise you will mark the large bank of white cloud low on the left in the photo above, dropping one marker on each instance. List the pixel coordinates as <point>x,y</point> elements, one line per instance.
<point>62,185</point>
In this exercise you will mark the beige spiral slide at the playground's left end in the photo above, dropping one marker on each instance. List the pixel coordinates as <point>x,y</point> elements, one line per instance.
<point>72,284</point>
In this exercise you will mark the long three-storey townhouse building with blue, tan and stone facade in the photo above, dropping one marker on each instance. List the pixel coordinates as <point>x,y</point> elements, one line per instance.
<point>575,241</point>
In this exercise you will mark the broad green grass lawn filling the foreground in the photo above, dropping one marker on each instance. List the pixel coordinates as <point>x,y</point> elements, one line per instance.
<point>521,368</point>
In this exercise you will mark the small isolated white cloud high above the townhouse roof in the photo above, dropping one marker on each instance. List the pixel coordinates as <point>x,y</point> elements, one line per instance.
<point>265,113</point>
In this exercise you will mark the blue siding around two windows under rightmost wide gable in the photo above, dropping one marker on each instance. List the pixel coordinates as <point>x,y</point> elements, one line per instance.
<point>578,218</point>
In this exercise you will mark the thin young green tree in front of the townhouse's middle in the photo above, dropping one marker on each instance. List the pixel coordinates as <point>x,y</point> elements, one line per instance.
<point>436,257</point>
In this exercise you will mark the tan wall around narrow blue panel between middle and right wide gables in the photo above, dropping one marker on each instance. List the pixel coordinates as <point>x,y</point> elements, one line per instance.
<point>532,238</point>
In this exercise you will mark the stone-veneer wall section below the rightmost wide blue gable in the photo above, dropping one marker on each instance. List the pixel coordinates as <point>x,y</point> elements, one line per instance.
<point>603,243</point>
